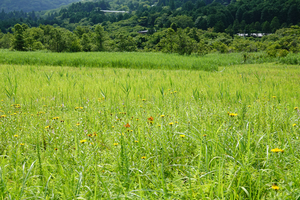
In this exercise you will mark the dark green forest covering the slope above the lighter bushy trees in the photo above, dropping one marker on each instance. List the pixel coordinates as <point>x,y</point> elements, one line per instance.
<point>231,17</point>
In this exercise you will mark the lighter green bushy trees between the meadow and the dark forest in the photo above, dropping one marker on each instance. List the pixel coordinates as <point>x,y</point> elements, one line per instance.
<point>172,40</point>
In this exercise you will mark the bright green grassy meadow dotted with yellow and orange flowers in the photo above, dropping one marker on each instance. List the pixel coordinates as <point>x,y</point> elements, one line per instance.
<point>121,133</point>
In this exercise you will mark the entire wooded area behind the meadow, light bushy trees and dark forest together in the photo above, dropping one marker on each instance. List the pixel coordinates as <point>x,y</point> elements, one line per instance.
<point>183,27</point>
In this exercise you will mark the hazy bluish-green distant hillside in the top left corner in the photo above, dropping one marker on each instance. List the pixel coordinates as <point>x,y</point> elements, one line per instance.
<point>32,5</point>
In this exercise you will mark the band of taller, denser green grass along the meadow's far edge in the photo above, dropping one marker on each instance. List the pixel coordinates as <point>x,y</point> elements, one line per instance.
<point>133,60</point>
